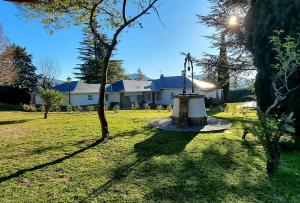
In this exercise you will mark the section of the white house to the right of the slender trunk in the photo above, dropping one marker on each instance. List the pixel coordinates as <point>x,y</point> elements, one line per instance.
<point>160,91</point>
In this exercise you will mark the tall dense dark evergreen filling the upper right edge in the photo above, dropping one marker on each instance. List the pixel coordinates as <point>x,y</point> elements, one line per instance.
<point>264,17</point>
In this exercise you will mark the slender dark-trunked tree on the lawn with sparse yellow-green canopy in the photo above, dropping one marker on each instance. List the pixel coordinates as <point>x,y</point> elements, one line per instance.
<point>103,16</point>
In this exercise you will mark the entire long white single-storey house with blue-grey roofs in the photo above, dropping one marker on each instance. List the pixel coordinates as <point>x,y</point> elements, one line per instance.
<point>126,92</point>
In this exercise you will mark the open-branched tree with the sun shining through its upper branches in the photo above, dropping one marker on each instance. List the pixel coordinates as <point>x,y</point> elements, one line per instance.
<point>226,17</point>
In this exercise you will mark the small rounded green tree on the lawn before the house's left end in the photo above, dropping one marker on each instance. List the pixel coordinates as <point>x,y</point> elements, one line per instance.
<point>53,99</point>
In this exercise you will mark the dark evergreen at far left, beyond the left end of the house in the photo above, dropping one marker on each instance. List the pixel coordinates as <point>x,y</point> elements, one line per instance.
<point>22,62</point>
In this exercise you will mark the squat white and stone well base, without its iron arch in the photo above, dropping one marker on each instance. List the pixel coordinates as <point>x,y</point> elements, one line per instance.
<point>189,110</point>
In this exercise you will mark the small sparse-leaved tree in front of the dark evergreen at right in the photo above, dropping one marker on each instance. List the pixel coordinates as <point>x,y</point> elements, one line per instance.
<point>270,126</point>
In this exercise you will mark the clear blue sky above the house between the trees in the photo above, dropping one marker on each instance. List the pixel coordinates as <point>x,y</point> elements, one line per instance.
<point>154,48</point>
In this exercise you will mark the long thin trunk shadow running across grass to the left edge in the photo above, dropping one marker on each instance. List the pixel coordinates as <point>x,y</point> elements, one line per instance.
<point>41,166</point>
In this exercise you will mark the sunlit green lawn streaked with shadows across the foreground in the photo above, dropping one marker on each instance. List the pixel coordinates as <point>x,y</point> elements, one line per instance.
<point>60,160</point>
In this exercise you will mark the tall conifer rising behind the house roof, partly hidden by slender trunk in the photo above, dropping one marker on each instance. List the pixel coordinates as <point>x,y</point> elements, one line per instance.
<point>92,54</point>
